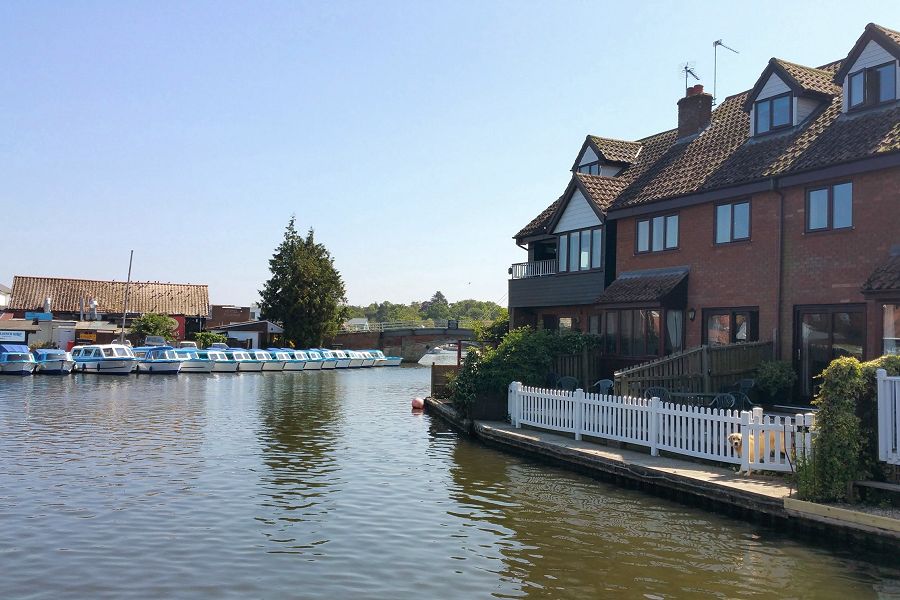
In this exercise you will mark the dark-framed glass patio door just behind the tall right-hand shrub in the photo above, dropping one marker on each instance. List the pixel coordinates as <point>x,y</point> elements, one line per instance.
<point>824,333</point>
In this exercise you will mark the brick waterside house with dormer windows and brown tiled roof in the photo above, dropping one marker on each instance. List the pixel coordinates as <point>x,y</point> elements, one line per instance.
<point>772,218</point>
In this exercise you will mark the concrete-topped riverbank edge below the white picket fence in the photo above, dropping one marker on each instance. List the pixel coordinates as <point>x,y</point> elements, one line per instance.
<point>767,499</point>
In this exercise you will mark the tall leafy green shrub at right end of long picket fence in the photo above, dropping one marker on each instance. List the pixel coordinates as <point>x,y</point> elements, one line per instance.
<point>835,460</point>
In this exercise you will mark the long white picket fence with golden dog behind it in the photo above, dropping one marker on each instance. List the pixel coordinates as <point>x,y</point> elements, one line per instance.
<point>769,442</point>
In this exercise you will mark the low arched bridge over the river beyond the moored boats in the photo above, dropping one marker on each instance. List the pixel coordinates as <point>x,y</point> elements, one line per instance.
<point>411,340</point>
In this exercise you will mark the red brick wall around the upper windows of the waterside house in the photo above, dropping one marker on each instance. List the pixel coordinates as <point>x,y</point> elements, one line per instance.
<point>819,268</point>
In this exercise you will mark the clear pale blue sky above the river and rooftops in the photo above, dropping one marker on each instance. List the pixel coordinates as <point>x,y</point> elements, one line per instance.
<point>415,137</point>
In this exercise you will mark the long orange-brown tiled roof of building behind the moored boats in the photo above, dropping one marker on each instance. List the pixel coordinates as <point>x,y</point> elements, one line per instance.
<point>28,293</point>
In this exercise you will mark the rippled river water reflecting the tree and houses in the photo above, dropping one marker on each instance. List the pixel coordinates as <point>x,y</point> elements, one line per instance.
<point>326,485</point>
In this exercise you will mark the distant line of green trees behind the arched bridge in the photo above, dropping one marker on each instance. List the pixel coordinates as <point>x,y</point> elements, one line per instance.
<point>436,308</point>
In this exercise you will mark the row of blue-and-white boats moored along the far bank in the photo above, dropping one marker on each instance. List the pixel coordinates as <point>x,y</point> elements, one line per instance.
<point>119,359</point>
